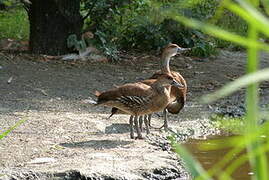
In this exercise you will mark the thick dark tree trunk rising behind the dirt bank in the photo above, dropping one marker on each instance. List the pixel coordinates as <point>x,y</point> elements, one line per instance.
<point>51,22</point>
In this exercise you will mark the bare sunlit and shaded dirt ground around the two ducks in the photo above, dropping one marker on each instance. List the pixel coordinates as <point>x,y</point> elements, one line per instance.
<point>66,138</point>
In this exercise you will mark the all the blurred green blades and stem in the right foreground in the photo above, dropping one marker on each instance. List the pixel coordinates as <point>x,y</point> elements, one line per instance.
<point>255,137</point>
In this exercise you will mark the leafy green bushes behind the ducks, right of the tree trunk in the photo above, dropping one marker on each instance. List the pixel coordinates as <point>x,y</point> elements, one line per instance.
<point>144,25</point>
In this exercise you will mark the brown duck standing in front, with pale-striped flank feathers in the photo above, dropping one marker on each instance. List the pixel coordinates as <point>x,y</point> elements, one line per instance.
<point>139,99</point>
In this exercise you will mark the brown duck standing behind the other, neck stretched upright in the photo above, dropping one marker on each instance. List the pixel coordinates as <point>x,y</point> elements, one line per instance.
<point>177,95</point>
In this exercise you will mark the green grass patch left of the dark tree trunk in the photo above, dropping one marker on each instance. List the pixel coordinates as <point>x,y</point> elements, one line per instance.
<point>14,24</point>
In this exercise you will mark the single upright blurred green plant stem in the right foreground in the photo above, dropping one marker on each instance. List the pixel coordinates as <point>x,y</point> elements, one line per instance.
<point>258,163</point>
